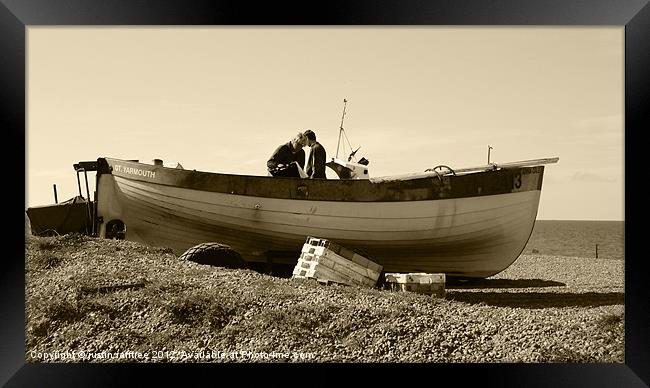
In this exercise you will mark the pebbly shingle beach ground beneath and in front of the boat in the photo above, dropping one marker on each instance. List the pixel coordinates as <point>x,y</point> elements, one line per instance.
<point>94,300</point>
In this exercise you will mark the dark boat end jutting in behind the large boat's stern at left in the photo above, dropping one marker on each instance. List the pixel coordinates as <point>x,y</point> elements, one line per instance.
<point>70,216</point>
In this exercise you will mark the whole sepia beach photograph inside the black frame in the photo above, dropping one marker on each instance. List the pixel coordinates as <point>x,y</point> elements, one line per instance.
<point>313,194</point>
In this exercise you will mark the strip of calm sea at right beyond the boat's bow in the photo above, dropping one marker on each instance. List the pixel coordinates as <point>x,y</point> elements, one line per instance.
<point>596,239</point>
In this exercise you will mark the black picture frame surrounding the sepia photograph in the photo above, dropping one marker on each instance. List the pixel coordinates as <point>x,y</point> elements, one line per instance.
<point>17,15</point>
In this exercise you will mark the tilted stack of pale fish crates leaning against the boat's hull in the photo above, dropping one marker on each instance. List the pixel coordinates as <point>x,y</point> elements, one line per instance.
<point>326,261</point>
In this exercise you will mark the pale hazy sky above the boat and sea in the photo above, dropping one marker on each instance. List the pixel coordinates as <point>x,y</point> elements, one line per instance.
<point>221,99</point>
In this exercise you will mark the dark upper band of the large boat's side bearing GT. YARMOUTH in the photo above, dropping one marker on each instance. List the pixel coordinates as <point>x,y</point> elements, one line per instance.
<point>475,184</point>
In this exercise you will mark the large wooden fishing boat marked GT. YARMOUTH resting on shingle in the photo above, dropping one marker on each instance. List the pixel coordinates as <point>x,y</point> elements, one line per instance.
<point>467,223</point>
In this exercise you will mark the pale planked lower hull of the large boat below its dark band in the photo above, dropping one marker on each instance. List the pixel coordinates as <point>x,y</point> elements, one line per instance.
<point>470,236</point>
